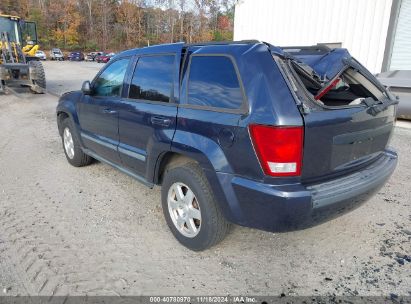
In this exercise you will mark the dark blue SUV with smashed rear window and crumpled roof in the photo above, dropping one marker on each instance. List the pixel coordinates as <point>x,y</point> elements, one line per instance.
<point>239,132</point>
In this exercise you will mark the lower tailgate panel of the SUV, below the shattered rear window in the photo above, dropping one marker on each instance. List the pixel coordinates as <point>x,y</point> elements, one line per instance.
<point>339,141</point>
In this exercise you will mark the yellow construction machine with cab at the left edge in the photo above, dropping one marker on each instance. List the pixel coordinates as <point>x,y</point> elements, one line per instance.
<point>18,63</point>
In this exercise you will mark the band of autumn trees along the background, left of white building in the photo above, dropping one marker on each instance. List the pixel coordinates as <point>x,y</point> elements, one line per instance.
<point>114,25</point>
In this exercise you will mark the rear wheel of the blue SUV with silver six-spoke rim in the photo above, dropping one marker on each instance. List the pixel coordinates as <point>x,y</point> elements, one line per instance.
<point>212,227</point>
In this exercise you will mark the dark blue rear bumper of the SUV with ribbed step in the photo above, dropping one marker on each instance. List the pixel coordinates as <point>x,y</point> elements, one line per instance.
<point>287,207</point>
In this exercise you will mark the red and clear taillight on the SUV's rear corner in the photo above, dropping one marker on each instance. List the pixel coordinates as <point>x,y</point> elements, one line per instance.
<point>279,149</point>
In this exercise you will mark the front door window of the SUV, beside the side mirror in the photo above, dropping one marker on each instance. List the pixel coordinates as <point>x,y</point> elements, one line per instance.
<point>110,82</point>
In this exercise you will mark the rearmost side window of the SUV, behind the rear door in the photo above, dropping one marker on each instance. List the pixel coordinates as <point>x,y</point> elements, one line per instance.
<point>213,82</point>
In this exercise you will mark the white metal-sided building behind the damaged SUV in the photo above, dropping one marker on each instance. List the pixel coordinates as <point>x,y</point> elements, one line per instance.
<point>376,32</point>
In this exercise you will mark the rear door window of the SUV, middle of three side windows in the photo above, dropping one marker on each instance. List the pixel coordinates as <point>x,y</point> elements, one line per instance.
<point>153,78</point>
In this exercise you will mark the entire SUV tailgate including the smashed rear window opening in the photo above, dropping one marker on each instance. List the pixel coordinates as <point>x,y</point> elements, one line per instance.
<point>340,135</point>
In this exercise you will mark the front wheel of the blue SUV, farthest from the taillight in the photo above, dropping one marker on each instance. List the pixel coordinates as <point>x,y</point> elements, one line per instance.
<point>74,154</point>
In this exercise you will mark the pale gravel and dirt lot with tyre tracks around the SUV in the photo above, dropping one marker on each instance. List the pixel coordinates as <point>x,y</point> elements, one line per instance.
<point>96,231</point>
